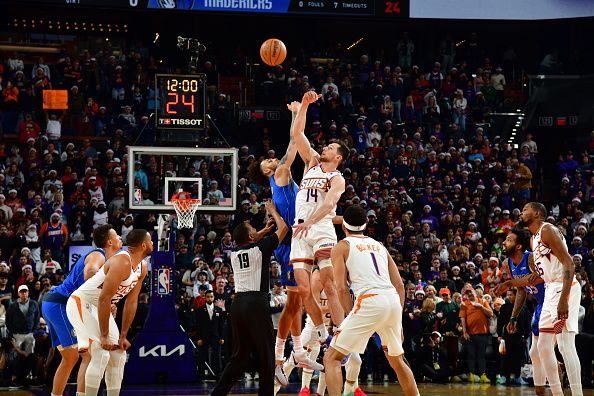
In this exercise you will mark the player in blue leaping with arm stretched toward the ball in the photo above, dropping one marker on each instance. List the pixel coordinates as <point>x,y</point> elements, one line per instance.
<point>277,173</point>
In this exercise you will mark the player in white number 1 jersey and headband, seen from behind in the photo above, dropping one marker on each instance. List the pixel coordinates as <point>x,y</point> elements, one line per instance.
<point>376,282</point>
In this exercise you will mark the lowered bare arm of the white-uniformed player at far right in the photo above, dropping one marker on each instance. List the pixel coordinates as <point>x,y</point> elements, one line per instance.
<point>553,238</point>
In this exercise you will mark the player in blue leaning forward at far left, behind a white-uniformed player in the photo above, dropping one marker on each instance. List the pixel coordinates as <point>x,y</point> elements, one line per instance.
<point>53,308</point>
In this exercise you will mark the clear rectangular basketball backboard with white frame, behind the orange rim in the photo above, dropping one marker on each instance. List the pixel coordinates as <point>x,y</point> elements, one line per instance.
<point>157,173</point>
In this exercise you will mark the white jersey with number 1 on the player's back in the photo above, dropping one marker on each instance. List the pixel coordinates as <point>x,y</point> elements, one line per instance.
<point>367,265</point>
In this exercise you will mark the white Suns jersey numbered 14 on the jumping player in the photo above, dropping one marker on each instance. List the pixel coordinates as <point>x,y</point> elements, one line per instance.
<point>312,192</point>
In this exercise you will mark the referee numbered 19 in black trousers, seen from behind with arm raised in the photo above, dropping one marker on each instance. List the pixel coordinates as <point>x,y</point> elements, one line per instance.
<point>251,323</point>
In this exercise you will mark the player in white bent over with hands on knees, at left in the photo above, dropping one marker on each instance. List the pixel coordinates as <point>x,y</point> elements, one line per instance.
<point>89,311</point>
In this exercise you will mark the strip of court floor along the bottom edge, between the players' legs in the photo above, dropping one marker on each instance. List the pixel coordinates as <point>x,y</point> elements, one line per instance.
<point>248,389</point>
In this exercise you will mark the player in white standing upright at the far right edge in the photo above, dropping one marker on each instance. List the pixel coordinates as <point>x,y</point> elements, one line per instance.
<point>559,316</point>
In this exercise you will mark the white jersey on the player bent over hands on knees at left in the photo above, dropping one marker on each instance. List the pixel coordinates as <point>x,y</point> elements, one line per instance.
<point>91,289</point>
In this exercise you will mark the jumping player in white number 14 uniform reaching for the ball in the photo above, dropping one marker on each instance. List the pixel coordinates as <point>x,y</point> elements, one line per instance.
<point>313,232</point>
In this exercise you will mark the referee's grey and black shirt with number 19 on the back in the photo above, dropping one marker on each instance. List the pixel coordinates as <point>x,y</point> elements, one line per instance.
<point>251,265</point>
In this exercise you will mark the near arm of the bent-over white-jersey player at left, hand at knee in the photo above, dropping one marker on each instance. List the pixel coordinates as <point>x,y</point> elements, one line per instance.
<point>118,271</point>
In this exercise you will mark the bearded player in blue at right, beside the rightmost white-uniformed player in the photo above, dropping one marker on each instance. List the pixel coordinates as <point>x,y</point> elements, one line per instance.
<point>524,276</point>
